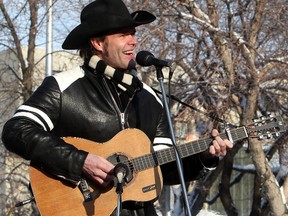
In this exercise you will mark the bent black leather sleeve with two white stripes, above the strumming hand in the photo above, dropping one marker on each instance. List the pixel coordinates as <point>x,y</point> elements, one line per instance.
<point>29,134</point>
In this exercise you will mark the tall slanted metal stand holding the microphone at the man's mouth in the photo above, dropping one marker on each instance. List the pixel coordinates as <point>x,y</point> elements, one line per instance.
<point>160,78</point>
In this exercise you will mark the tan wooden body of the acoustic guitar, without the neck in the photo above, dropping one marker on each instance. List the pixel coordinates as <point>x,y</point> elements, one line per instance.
<point>58,197</point>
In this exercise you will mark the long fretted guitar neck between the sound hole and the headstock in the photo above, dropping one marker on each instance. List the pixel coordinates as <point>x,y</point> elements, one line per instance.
<point>168,155</point>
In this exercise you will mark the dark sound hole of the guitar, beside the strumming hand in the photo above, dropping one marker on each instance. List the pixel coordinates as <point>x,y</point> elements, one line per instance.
<point>119,158</point>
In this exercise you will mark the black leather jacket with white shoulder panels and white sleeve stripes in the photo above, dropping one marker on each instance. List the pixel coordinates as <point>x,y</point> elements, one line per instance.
<point>80,103</point>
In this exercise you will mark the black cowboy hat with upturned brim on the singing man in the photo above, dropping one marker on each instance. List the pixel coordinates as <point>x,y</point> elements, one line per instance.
<point>101,17</point>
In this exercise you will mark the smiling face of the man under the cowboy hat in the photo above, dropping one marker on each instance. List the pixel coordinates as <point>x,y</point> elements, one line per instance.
<point>117,49</point>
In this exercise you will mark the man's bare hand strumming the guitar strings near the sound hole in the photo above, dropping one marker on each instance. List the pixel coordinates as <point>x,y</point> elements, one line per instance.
<point>98,169</point>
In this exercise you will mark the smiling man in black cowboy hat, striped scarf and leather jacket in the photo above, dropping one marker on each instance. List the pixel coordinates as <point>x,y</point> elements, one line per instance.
<point>96,101</point>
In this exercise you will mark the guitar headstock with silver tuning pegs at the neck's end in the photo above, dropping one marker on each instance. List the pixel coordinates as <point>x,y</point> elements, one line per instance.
<point>266,127</point>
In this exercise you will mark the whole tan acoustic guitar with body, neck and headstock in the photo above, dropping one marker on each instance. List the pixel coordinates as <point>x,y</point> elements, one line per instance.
<point>55,196</point>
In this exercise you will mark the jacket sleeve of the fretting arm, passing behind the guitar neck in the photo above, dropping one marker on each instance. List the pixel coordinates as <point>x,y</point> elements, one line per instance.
<point>193,167</point>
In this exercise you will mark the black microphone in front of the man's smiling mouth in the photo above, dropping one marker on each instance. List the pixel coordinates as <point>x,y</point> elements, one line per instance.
<point>145,58</point>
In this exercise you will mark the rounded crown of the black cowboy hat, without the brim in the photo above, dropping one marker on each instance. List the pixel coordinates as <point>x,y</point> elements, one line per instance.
<point>100,9</point>
